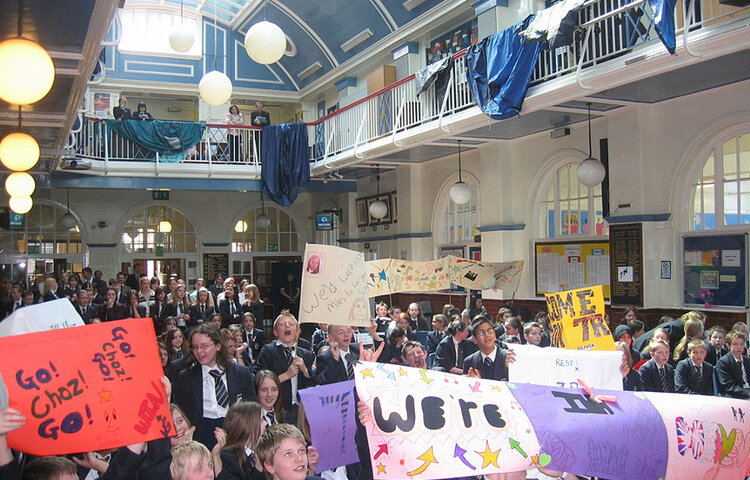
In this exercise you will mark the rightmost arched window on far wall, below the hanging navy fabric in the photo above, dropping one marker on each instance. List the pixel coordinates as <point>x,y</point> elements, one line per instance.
<point>281,235</point>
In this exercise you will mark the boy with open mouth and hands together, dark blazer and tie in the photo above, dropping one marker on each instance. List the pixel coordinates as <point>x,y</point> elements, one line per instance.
<point>292,364</point>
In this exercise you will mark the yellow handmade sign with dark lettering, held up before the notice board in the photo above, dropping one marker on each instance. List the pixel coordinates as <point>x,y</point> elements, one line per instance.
<point>577,319</point>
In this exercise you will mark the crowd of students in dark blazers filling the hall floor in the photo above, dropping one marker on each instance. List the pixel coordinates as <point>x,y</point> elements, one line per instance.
<point>235,404</point>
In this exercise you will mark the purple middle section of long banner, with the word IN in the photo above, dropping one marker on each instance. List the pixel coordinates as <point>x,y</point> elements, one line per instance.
<point>619,441</point>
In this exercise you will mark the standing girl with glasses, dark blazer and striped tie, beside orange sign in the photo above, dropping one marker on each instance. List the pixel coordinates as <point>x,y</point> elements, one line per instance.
<point>210,383</point>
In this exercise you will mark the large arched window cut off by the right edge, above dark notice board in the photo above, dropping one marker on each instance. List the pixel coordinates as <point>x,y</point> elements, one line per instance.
<point>721,188</point>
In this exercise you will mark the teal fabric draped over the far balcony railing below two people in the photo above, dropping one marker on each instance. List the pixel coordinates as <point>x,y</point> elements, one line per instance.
<point>162,136</point>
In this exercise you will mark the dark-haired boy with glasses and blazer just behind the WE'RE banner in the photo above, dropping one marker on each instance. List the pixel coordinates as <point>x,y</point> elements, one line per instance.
<point>491,361</point>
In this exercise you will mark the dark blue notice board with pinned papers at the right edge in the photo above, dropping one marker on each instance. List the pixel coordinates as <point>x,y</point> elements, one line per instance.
<point>715,268</point>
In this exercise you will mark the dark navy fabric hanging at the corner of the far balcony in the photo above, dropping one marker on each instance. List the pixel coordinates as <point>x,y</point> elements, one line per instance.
<point>285,161</point>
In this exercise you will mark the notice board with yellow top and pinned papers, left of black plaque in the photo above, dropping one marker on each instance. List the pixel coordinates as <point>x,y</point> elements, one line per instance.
<point>570,265</point>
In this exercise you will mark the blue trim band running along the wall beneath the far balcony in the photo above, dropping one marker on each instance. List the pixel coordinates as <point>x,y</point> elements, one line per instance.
<point>72,180</point>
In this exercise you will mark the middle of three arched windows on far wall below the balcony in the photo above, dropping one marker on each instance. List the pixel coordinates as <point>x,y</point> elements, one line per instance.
<point>159,228</point>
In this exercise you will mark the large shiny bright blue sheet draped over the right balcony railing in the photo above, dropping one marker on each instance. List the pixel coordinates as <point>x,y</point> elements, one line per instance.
<point>499,70</point>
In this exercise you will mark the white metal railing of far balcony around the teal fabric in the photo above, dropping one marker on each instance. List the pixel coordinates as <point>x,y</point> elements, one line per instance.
<point>220,144</point>
